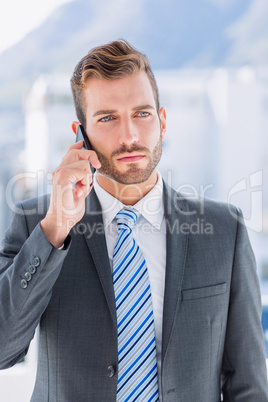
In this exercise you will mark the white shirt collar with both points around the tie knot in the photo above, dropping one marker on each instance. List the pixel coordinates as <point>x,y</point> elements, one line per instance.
<point>151,206</point>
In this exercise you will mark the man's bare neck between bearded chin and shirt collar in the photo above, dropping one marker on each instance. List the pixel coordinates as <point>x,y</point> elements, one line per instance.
<point>128,194</point>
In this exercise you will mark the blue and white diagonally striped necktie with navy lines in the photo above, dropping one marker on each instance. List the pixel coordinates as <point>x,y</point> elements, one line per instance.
<point>137,367</point>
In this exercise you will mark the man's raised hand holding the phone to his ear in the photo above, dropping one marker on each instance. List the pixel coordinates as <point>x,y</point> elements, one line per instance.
<point>71,184</point>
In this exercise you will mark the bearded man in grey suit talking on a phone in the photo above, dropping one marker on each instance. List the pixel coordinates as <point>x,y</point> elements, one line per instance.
<point>133,304</point>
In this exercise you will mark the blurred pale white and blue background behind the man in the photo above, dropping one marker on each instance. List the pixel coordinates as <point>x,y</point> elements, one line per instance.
<point>210,59</point>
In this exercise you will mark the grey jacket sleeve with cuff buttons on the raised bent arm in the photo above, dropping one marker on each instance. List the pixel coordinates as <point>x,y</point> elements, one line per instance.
<point>29,267</point>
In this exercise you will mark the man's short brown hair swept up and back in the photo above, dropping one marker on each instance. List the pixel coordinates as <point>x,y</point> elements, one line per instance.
<point>111,61</point>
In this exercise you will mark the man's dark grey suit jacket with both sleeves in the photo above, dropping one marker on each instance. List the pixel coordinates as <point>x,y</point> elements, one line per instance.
<point>212,336</point>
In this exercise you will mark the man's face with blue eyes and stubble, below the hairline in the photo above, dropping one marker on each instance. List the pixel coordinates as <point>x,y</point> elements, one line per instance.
<point>124,127</point>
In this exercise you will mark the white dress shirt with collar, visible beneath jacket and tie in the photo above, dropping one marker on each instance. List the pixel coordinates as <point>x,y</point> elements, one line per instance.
<point>150,234</point>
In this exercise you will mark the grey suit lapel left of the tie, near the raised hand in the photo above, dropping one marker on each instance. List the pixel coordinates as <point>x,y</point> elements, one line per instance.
<point>97,245</point>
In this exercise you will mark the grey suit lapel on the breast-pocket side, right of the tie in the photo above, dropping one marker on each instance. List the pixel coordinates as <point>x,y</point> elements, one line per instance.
<point>175,215</point>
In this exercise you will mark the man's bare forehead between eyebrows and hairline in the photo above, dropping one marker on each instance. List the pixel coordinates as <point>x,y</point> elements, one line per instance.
<point>132,90</point>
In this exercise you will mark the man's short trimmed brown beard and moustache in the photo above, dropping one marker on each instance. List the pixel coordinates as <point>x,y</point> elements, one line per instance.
<point>134,174</point>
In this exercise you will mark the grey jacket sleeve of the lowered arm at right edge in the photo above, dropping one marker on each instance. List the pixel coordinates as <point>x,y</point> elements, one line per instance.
<point>244,366</point>
